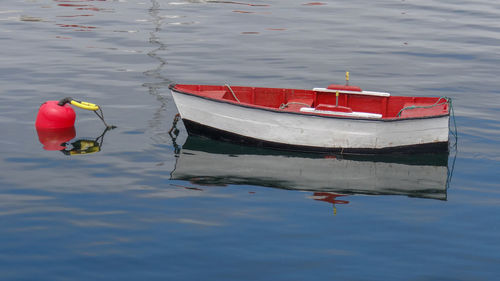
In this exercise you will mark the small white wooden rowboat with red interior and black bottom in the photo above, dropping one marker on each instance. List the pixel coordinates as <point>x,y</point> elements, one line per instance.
<point>339,118</point>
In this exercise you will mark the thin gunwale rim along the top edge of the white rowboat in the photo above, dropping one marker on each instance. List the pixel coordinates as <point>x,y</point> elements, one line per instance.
<point>265,108</point>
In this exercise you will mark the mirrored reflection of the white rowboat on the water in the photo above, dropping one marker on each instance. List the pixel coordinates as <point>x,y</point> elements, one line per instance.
<point>207,162</point>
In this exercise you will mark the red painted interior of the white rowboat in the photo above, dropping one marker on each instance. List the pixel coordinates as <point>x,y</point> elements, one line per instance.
<point>293,100</point>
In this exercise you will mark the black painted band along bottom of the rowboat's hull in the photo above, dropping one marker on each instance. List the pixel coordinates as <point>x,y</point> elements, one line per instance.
<point>197,129</point>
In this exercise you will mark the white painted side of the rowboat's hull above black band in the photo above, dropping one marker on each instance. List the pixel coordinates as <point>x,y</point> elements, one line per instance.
<point>311,131</point>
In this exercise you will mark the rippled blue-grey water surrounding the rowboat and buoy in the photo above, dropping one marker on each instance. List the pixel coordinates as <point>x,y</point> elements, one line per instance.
<point>157,206</point>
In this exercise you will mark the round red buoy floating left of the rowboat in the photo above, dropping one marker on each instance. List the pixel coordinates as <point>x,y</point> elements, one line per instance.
<point>51,115</point>
